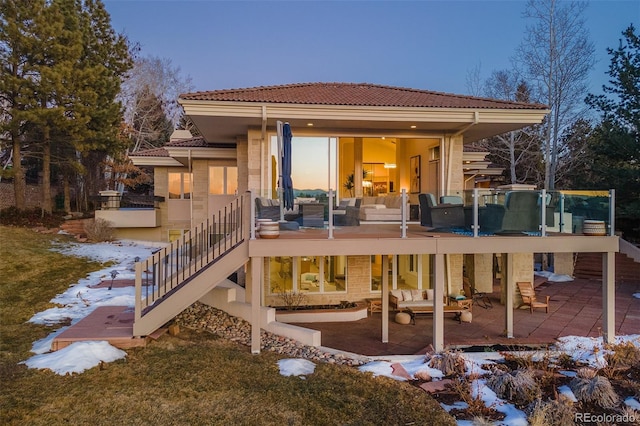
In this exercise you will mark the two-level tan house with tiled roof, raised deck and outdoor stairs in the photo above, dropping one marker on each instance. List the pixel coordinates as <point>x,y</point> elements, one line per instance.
<point>360,141</point>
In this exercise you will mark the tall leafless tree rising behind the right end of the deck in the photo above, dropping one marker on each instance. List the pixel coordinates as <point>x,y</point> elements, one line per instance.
<point>556,55</point>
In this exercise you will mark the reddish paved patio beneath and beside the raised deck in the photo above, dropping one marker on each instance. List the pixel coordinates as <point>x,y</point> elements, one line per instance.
<point>575,309</point>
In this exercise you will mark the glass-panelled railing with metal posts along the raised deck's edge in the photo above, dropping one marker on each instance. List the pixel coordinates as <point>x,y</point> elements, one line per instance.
<point>486,212</point>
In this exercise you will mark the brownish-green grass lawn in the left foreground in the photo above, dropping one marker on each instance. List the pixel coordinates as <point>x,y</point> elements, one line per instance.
<point>192,378</point>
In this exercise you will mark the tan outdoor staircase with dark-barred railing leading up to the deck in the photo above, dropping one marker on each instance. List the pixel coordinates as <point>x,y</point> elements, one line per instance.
<point>180,274</point>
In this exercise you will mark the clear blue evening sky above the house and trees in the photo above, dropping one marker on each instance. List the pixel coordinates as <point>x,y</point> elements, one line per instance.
<point>429,45</point>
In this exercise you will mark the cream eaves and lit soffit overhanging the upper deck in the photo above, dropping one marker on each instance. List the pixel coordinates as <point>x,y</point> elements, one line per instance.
<point>226,123</point>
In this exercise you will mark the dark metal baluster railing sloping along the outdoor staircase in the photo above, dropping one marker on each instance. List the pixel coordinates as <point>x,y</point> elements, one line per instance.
<point>174,265</point>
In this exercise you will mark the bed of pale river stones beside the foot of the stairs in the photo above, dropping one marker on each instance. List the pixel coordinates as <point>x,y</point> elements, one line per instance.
<point>203,317</point>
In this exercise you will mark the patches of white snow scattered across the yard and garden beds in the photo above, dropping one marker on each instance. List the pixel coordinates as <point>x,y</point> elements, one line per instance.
<point>81,299</point>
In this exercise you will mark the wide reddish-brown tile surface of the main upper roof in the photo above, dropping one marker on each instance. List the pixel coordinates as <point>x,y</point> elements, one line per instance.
<point>354,94</point>
